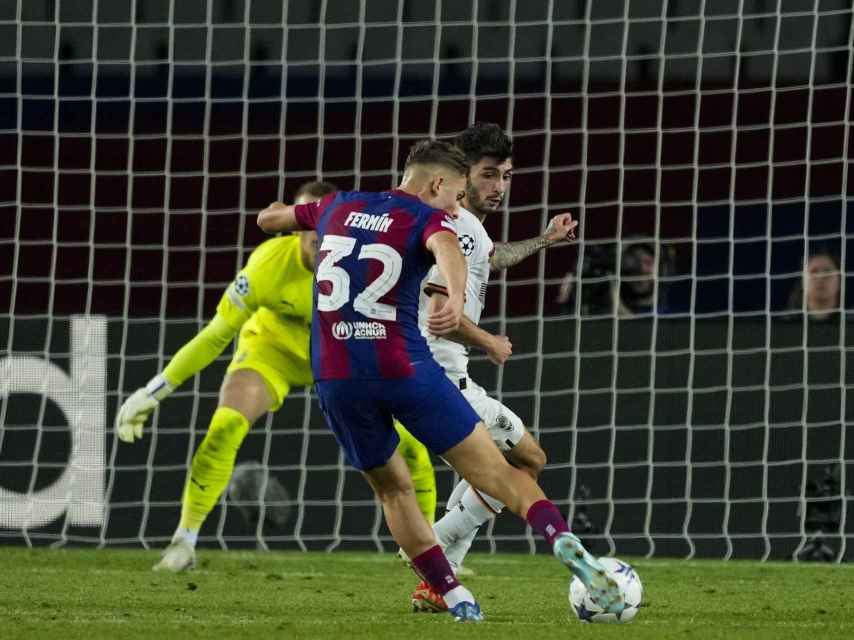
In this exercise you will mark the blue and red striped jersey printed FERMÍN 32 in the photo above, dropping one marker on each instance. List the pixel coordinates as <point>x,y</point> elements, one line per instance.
<point>371,261</point>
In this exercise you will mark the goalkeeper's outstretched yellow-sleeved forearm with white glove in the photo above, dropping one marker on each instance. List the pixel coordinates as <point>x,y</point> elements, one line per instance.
<point>194,356</point>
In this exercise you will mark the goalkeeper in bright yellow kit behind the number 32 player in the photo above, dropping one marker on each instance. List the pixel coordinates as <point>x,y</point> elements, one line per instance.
<point>270,305</point>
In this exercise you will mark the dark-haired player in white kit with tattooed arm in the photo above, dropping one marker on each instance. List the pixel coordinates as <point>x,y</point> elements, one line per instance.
<point>489,152</point>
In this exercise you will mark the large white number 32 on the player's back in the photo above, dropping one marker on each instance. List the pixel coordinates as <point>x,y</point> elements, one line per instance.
<point>366,303</point>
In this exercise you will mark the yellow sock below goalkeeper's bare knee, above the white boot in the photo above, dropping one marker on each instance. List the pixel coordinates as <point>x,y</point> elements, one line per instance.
<point>212,466</point>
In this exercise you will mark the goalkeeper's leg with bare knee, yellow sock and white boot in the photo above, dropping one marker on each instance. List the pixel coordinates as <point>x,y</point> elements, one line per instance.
<point>244,397</point>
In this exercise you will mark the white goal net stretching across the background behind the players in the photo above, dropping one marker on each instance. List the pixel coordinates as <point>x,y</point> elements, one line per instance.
<point>684,364</point>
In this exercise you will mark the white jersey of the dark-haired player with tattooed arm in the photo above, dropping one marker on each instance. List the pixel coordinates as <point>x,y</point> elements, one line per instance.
<point>477,247</point>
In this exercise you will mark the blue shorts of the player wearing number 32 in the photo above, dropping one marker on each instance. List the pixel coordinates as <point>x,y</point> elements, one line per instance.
<point>362,412</point>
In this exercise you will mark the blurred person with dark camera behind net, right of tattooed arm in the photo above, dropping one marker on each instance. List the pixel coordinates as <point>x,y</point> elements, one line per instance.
<point>633,293</point>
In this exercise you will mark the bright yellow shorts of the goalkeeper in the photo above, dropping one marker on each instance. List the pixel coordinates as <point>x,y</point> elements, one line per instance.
<point>259,350</point>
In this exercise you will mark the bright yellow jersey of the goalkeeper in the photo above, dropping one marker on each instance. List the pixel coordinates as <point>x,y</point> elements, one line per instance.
<point>273,292</point>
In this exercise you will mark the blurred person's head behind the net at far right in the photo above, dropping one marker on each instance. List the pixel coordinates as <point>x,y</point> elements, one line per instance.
<point>817,293</point>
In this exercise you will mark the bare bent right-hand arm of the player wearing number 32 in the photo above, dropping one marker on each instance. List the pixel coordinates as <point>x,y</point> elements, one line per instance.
<point>452,266</point>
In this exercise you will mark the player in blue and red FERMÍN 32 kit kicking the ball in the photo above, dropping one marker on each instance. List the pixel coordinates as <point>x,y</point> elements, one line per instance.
<point>371,363</point>
